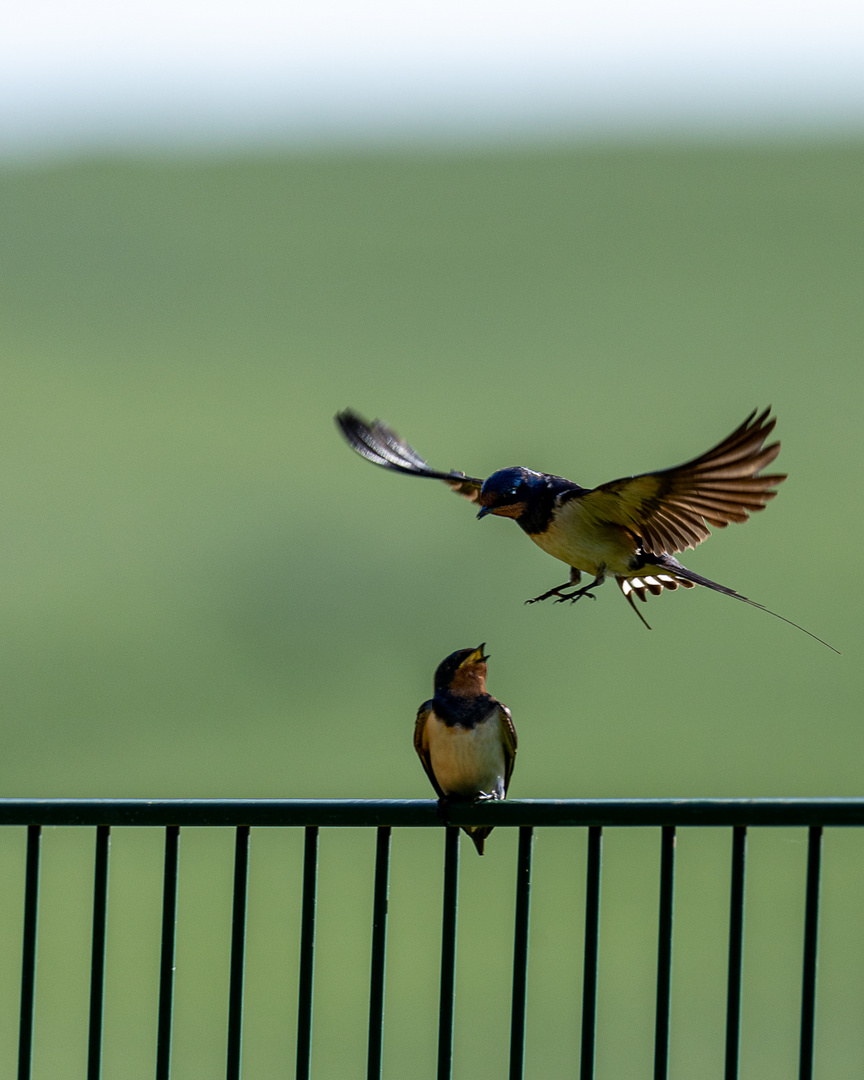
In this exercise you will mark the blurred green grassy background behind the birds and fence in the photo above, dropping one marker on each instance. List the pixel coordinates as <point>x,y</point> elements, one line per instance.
<point>204,593</point>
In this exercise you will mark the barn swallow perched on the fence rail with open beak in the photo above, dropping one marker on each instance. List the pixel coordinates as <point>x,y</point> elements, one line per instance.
<point>465,738</point>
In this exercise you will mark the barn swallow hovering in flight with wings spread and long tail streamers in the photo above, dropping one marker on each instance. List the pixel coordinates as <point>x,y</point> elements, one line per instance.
<point>629,529</point>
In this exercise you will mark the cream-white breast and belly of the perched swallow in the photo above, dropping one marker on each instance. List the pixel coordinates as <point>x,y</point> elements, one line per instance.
<point>468,762</point>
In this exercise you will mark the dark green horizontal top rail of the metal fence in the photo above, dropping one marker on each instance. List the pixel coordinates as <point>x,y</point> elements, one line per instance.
<point>426,813</point>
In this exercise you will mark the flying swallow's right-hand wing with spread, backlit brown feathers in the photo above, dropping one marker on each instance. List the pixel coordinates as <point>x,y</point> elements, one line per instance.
<point>670,510</point>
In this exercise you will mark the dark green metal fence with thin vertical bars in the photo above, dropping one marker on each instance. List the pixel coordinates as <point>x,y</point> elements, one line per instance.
<point>384,816</point>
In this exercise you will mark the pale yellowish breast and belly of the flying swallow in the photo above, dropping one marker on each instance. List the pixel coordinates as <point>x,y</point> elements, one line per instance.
<point>578,539</point>
